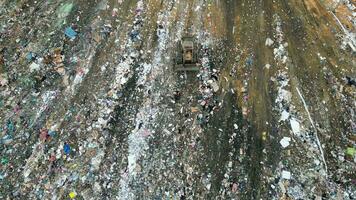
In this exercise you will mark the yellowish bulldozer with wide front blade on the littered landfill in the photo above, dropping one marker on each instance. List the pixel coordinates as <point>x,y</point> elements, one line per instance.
<point>186,58</point>
